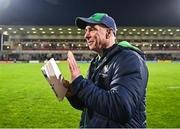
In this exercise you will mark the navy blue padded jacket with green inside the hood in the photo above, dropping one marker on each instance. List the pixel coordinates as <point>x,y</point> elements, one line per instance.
<point>113,95</point>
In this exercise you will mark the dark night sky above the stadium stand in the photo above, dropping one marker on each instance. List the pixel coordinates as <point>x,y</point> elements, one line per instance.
<point>63,12</point>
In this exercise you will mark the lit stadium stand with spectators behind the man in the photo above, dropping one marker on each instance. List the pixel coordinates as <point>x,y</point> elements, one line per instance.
<point>25,43</point>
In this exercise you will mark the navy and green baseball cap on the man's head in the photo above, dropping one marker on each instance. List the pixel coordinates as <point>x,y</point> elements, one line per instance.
<point>97,18</point>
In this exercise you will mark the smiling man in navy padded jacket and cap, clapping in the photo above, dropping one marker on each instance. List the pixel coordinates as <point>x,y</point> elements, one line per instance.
<point>113,95</point>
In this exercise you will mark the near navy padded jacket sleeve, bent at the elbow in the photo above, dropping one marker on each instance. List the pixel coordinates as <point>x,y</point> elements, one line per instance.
<point>127,89</point>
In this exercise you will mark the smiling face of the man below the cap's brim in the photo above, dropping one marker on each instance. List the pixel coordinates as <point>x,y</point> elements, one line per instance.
<point>96,37</point>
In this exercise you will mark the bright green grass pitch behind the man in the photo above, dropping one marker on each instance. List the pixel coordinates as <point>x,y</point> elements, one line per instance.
<point>26,99</point>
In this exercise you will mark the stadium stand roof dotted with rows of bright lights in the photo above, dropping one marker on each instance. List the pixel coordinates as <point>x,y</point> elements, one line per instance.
<point>168,32</point>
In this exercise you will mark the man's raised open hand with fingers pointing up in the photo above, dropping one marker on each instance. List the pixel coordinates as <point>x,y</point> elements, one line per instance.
<point>74,69</point>
